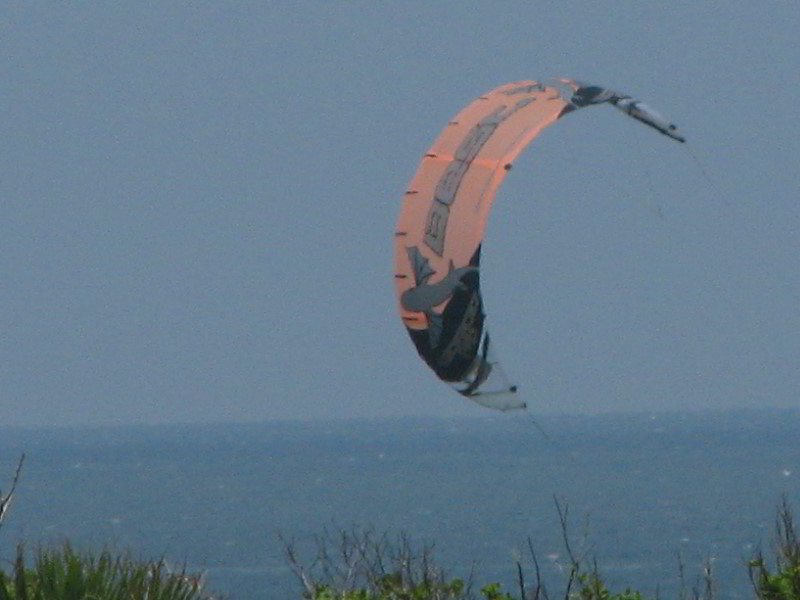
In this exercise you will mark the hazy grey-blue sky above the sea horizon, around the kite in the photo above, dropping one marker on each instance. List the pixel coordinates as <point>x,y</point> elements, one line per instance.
<point>197,203</point>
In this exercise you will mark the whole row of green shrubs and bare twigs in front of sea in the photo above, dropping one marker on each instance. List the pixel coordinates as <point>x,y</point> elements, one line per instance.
<point>361,564</point>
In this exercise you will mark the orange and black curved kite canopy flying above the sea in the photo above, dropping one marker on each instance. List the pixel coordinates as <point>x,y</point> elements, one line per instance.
<point>446,207</point>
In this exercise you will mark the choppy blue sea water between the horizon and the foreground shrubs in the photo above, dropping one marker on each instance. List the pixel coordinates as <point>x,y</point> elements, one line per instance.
<point>641,491</point>
